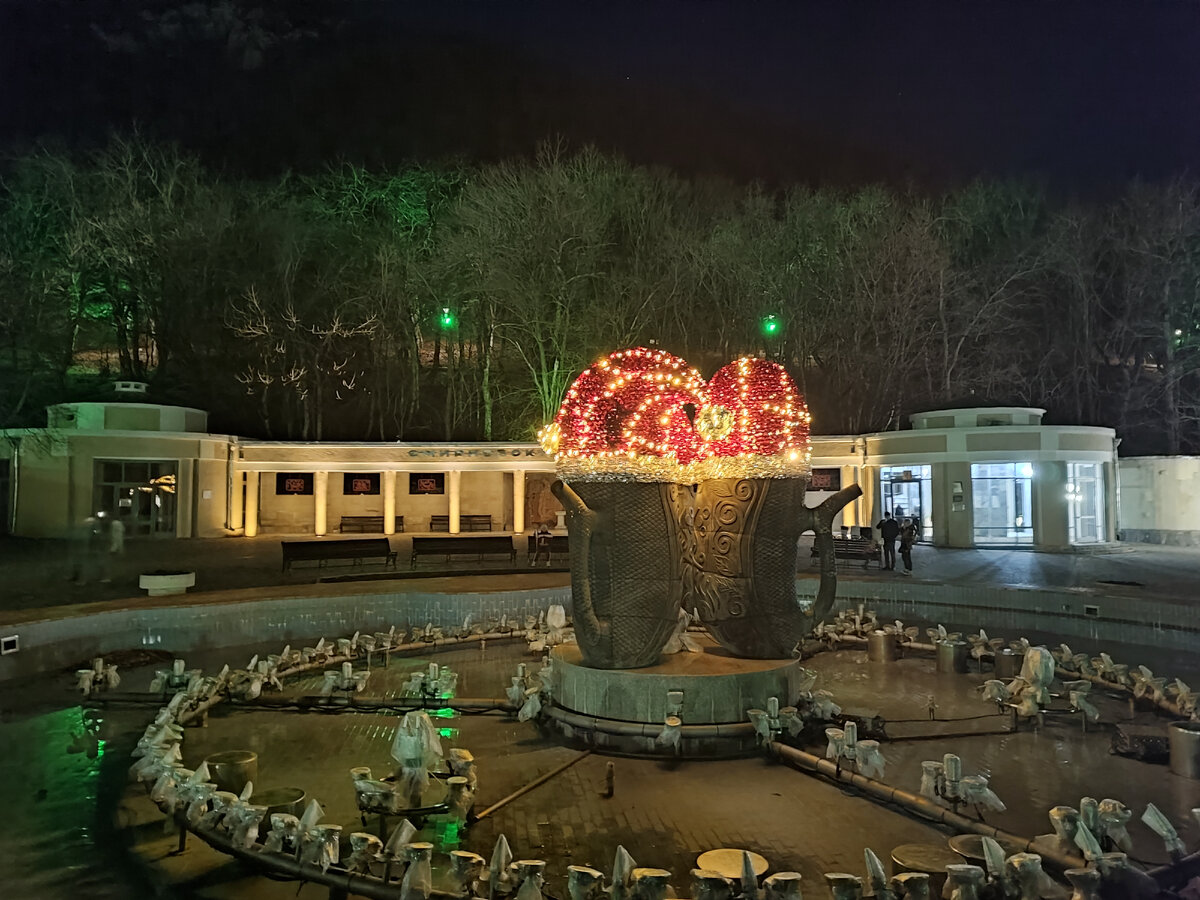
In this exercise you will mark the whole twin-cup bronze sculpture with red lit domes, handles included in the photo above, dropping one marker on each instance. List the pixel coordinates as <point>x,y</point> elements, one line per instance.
<point>633,437</point>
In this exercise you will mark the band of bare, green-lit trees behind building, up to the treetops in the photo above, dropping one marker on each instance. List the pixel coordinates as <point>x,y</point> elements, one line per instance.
<point>457,302</point>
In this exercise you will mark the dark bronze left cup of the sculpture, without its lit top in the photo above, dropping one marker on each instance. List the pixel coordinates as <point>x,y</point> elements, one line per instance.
<point>626,584</point>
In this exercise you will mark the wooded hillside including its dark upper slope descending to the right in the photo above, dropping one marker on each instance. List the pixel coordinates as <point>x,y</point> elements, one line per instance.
<point>399,243</point>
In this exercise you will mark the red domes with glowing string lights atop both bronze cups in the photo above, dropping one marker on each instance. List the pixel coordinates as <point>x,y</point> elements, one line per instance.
<point>629,418</point>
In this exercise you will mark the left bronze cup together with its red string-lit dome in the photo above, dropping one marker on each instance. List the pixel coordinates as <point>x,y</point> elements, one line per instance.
<point>621,440</point>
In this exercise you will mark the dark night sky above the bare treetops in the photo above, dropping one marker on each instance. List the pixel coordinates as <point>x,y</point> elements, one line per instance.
<point>1081,95</point>
